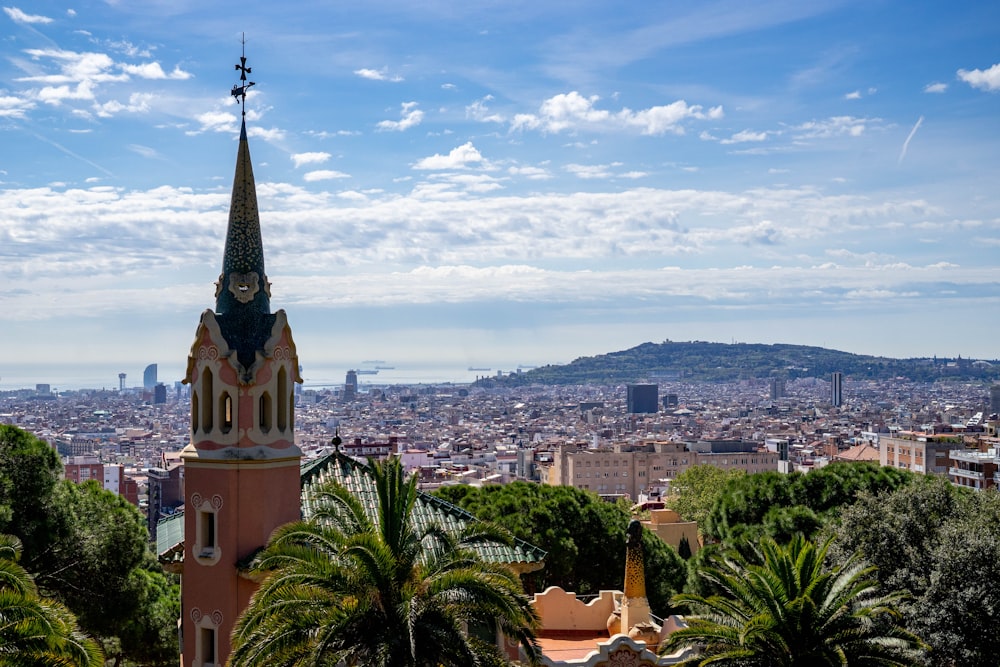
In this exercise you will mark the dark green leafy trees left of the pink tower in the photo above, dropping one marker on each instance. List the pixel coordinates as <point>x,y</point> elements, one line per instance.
<point>87,548</point>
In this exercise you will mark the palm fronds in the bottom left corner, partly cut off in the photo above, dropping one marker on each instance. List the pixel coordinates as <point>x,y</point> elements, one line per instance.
<point>33,630</point>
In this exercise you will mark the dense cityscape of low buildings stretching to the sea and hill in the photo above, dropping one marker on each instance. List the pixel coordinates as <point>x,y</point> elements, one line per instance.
<point>484,433</point>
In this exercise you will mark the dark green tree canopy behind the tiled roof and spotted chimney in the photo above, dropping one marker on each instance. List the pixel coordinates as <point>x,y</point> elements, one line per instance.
<point>583,536</point>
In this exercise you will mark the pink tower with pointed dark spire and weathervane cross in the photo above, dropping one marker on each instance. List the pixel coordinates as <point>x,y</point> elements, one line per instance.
<point>241,467</point>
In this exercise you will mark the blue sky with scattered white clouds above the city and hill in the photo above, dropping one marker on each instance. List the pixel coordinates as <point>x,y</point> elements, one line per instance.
<point>503,183</point>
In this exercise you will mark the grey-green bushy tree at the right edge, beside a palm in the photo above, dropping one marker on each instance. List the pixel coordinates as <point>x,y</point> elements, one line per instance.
<point>941,545</point>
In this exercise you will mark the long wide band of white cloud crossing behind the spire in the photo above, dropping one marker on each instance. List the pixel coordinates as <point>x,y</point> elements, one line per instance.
<point>437,245</point>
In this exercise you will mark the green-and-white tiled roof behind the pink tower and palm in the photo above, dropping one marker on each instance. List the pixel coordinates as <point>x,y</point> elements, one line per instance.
<point>354,476</point>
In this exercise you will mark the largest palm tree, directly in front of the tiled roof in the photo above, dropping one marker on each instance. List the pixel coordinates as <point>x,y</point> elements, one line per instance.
<point>344,587</point>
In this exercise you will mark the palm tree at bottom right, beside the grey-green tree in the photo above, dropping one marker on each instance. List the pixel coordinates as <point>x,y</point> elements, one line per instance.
<point>788,609</point>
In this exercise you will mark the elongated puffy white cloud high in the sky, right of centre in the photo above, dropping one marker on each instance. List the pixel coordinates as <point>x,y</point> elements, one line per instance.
<point>572,111</point>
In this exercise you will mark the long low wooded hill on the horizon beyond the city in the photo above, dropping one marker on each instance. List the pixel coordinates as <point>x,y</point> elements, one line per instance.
<point>699,361</point>
